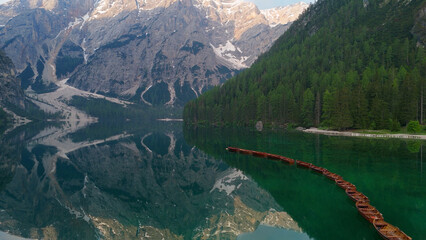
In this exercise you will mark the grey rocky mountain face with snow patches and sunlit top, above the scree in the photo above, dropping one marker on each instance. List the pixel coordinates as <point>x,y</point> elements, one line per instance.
<point>156,52</point>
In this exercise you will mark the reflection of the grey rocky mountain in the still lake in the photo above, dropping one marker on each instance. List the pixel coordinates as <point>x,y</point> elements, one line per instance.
<point>119,183</point>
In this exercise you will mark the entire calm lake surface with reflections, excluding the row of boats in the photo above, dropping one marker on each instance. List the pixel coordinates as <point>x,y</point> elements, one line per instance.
<point>158,181</point>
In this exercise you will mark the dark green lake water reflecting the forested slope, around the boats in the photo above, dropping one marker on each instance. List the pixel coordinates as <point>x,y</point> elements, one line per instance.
<point>390,172</point>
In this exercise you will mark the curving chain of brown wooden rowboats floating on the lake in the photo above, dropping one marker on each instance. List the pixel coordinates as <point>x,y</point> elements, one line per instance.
<point>362,203</point>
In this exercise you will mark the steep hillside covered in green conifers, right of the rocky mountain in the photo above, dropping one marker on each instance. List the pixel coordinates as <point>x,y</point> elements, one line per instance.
<point>343,64</point>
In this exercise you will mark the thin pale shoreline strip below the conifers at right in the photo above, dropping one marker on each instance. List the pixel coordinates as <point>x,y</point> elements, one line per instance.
<point>369,135</point>
